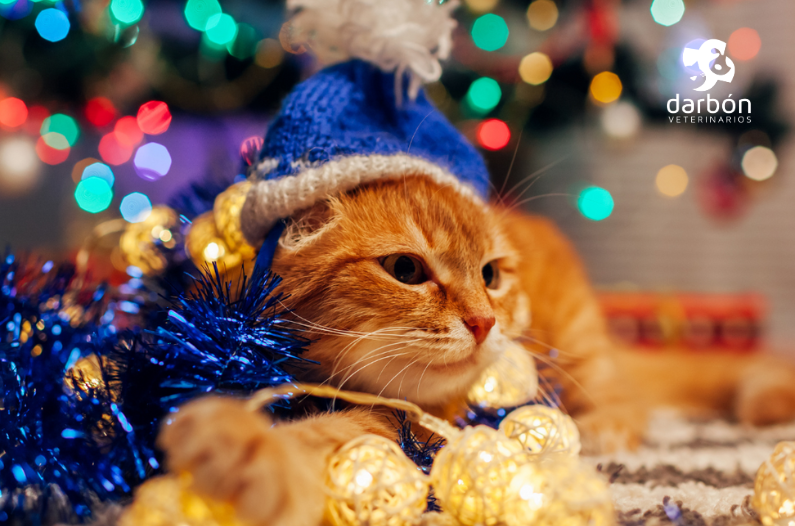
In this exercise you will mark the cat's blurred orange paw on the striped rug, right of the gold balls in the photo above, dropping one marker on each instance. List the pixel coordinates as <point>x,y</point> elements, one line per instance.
<point>611,428</point>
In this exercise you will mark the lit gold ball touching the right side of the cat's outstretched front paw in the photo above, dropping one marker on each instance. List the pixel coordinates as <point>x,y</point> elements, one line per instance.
<point>371,482</point>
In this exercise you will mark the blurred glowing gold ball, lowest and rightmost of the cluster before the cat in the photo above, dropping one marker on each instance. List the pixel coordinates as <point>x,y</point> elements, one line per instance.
<point>558,491</point>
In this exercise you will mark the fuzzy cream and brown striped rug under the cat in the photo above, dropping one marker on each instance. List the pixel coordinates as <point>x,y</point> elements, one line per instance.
<point>690,473</point>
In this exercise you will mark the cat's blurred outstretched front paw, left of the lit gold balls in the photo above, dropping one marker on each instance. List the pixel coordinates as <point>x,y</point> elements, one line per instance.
<point>236,456</point>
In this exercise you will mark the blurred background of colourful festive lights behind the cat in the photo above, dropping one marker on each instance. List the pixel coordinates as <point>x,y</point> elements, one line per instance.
<point>110,106</point>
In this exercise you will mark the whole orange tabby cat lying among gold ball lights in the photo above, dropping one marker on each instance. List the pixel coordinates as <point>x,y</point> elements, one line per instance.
<point>410,290</point>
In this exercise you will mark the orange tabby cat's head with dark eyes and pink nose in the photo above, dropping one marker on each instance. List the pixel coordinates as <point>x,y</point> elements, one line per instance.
<point>408,288</point>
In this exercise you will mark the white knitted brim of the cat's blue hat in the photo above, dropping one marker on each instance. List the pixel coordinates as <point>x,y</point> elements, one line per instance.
<point>274,199</point>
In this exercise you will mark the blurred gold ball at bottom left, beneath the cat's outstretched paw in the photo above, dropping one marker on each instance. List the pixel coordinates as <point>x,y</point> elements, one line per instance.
<point>169,501</point>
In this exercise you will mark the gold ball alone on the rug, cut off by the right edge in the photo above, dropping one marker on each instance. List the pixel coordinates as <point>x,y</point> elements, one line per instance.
<point>774,487</point>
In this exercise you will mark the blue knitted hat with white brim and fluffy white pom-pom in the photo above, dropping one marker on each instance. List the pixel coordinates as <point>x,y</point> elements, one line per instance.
<point>363,119</point>
